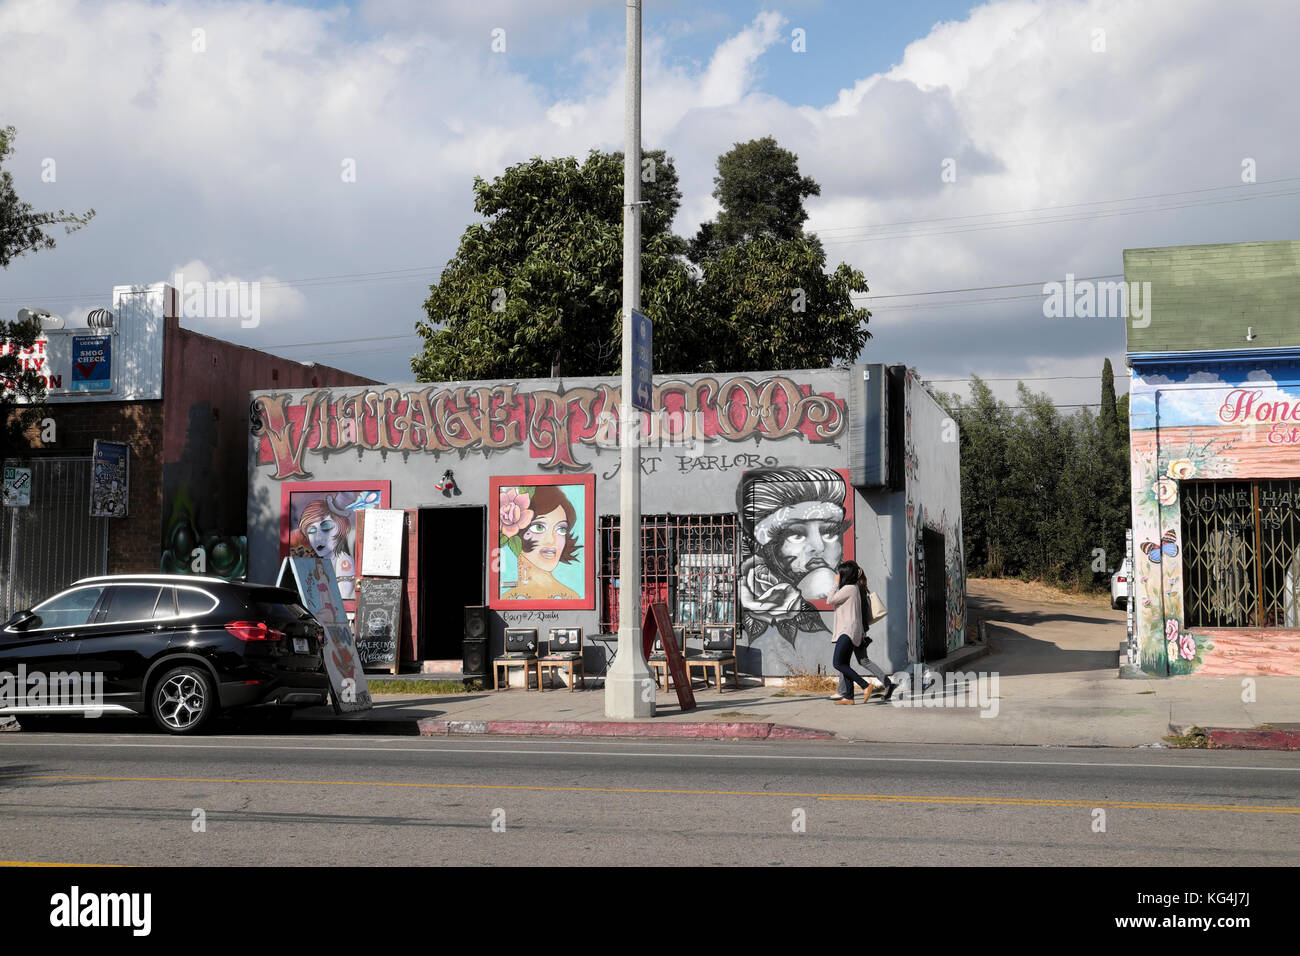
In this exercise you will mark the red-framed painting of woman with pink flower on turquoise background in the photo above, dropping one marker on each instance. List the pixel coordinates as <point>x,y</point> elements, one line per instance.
<point>541,531</point>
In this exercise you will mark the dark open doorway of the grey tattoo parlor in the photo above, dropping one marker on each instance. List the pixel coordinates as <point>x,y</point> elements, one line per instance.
<point>453,570</point>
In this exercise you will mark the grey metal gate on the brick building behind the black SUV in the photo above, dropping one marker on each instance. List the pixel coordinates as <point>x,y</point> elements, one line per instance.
<point>51,543</point>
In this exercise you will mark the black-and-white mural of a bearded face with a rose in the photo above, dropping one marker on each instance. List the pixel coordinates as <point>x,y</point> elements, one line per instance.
<point>798,526</point>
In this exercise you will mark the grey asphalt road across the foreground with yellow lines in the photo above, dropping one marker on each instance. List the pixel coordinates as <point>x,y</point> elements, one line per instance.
<point>314,801</point>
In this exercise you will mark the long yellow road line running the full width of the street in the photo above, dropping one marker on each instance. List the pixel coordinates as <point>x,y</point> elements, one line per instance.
<point>866,798</point>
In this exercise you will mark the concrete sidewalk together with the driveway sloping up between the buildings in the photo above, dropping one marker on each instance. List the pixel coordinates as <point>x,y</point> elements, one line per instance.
<point>1056,667</point>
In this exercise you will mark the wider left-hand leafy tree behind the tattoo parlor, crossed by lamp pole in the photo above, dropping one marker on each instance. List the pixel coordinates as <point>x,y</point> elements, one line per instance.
<point>538,288</point>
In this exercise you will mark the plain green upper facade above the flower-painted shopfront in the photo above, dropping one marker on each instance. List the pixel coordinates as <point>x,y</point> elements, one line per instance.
<point>1207,297</point>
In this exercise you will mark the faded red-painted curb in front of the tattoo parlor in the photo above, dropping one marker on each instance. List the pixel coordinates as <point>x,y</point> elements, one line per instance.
<point>713,730</point>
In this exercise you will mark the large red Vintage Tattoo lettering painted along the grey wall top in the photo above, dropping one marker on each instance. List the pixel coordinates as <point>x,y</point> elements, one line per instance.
<point>553,425</point>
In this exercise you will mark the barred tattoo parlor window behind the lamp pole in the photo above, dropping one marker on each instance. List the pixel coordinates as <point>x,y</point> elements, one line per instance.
<point>687,561</point>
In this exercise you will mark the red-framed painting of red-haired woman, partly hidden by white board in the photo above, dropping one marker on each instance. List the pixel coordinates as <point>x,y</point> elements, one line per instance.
<point>319,520</point>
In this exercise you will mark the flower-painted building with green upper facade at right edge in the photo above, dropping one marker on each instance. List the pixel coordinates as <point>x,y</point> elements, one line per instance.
<point>1215,417</point>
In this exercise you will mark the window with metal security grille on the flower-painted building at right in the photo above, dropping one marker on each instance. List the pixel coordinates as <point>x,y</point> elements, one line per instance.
<point>1242,553</point>
